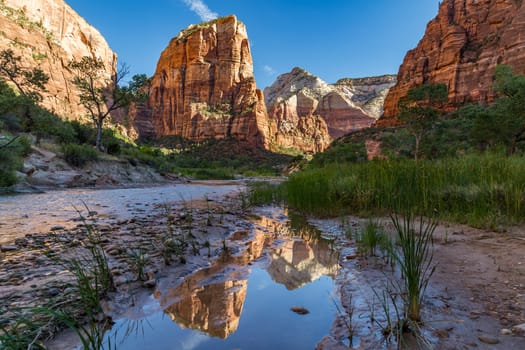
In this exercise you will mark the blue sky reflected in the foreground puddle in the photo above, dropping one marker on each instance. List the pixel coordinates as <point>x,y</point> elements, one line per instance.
<point>266,321</point>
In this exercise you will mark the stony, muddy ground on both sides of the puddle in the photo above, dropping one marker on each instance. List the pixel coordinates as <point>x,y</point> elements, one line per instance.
<point>476,297</point>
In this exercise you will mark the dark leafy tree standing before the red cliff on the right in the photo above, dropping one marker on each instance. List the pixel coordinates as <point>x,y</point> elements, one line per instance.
<point>419,109</point>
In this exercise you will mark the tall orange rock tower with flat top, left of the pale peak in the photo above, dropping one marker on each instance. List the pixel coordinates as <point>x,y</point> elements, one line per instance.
<point>204,87</point>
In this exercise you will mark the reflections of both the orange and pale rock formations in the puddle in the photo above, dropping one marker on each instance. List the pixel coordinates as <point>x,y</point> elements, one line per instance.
<point>212,300</point>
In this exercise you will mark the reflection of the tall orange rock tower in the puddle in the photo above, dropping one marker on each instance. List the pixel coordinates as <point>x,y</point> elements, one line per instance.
<point>212,307</point>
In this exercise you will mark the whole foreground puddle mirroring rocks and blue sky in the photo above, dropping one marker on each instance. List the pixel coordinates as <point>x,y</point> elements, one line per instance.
<point>244,301</point>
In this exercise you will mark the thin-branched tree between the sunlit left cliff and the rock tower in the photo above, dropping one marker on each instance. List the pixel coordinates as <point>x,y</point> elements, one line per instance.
<point>101,96</point>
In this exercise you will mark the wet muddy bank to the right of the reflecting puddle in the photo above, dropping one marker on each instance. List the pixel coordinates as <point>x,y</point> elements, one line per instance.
<point>475,298</point>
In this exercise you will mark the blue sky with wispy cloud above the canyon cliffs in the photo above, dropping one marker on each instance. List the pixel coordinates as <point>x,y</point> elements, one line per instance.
<point>332,39</point>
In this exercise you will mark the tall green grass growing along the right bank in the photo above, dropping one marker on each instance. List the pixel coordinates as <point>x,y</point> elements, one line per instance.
<point>480,190</point>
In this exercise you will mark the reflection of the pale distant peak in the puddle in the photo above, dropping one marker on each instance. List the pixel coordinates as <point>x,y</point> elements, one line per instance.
<point>298,262</point>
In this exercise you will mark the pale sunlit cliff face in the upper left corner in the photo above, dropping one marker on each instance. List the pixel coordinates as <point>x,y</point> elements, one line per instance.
<point>49,34</point>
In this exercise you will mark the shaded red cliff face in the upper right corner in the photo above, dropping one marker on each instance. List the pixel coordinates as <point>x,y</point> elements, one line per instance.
<point>461,48</point>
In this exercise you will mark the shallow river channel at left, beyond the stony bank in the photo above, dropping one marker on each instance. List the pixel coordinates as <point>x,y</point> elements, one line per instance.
<point>36,213</point>
